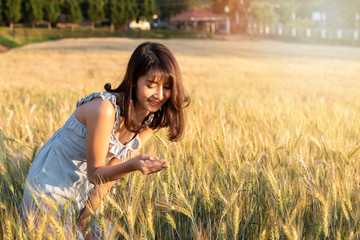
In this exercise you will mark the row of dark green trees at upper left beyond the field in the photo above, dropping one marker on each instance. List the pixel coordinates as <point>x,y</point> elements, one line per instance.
<point>118,12</point>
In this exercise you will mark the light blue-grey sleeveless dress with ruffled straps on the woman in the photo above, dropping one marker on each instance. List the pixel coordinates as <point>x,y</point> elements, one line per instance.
<point>59,171</point>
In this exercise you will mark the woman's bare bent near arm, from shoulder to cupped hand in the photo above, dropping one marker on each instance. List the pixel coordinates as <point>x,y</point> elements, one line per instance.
<point>98,116</point>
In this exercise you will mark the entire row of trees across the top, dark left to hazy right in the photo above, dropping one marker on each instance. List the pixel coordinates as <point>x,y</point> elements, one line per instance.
<point>292,13</point>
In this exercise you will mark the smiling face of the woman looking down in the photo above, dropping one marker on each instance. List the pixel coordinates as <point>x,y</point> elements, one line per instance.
<point>151,93</point>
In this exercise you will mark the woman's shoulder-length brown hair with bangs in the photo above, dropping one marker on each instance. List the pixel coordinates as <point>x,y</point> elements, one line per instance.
<point>157,60</point>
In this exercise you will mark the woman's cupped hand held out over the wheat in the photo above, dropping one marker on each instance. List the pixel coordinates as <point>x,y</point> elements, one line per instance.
<point>148,164</point>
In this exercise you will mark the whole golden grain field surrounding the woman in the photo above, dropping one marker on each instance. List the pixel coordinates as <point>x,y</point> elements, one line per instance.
<point>271,149</point>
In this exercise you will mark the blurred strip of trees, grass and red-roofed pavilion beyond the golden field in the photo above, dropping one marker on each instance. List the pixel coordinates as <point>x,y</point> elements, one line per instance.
<point>325,21</point>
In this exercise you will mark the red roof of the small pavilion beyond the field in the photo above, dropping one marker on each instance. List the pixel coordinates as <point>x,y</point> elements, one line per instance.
<point>197,14</point>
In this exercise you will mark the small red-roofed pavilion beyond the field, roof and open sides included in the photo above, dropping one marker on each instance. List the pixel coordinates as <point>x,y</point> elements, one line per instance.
<point>202,19</point>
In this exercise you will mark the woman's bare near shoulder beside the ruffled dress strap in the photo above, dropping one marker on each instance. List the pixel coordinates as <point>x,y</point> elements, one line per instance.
<point>93,109</point>
